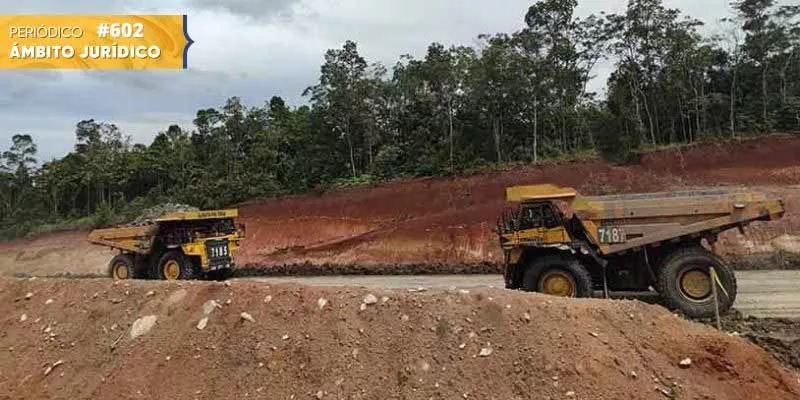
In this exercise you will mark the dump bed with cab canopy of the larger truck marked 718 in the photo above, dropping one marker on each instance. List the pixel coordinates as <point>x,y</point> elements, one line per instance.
<point>644,219</point>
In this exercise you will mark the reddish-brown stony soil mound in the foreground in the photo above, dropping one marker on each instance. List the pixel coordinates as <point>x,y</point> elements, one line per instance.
<point>72,339</point>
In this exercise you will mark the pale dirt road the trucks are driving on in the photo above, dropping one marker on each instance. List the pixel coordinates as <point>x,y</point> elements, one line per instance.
<point>774,294</point>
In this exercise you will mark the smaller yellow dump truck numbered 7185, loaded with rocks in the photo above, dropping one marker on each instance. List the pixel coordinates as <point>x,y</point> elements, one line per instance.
<point>180,245</point>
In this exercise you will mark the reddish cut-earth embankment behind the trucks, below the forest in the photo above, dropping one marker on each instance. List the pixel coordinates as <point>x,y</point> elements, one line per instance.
<point>447,222</point>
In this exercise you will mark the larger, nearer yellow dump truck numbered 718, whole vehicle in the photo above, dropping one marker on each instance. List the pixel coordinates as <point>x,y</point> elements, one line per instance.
<point>558,242</point>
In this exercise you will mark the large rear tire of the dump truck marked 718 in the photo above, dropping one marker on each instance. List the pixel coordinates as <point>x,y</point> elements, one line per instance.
<point>684,283</point>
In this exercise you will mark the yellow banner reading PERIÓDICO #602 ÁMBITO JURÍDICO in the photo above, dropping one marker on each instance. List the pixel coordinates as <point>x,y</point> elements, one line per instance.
<point>93,41</point>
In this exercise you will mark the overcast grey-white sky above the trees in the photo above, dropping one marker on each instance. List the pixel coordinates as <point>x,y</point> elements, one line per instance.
<point>253,49</point>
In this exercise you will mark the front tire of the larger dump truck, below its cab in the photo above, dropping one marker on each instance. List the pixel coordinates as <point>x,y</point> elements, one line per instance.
<point>558,276</point>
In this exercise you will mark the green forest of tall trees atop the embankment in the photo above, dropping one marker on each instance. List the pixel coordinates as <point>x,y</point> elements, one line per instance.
<point>517,97</point>
